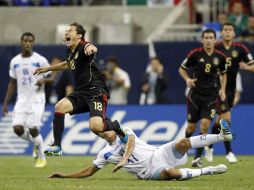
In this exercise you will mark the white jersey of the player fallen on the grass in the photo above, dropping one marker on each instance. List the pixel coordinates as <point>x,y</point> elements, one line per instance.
<point>139,162</point>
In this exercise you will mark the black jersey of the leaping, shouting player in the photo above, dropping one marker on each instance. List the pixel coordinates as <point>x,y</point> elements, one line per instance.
<point>84,69</point>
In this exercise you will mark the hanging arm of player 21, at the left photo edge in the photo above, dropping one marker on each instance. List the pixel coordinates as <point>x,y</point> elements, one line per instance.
<point>12,86</point>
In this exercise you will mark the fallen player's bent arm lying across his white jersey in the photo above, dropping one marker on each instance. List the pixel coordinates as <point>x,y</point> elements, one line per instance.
<point>130,145</point>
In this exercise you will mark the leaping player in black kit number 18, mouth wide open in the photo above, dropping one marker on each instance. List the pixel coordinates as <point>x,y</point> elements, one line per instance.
<point>90,93</point>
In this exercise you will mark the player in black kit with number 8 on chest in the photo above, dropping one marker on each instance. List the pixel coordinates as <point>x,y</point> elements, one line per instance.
<point>201,102</point>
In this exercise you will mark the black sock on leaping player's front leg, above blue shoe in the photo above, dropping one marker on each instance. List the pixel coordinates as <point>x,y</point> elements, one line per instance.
<point>58,128</point>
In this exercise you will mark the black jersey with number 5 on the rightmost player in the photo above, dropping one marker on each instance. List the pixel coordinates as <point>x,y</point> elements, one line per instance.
<point>234,55</point>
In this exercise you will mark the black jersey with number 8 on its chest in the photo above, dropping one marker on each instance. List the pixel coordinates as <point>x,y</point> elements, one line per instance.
<point>205,69</point>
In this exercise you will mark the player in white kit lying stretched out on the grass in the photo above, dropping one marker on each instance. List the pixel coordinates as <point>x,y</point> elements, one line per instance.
<point>148,162</point>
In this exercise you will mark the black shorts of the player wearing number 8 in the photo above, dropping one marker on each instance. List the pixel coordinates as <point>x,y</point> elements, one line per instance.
<point>200,106</point>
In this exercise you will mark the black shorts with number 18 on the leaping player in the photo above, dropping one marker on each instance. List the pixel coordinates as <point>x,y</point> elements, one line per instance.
<point>91,100</point>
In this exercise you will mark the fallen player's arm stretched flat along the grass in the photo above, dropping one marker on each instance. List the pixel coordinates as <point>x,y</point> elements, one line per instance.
<point>89,171</point>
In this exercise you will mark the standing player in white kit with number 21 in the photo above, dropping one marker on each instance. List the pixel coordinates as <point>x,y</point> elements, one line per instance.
<point>30,103</point>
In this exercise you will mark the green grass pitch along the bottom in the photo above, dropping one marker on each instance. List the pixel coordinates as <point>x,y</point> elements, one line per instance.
<point>18,173</point>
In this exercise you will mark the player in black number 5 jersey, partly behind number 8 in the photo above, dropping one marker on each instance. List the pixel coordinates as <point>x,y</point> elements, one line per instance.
<point>235,53</point>
